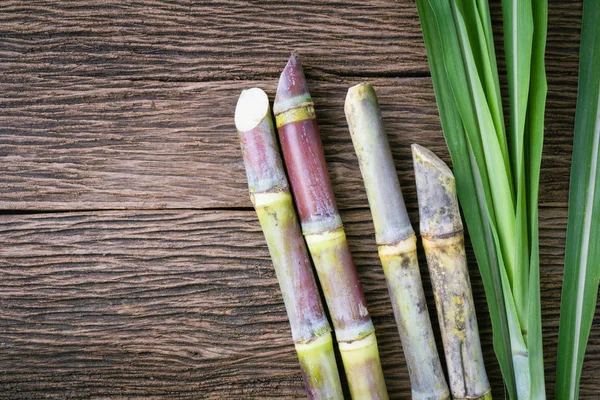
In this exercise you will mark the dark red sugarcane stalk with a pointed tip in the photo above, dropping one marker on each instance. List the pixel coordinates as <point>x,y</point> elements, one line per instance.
<point>324,233</point>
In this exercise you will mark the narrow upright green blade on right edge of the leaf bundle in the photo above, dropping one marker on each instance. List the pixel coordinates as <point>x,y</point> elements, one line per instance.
<point>533,150</point>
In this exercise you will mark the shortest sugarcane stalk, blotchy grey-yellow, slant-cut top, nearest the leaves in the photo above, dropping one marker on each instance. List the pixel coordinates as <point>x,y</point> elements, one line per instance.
<point>442,233</point>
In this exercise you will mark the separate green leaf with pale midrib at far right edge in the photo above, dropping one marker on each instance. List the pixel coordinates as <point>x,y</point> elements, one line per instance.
<point>582,258</point>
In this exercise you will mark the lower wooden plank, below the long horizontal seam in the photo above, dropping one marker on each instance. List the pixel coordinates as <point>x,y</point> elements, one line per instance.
<point>185,304</point>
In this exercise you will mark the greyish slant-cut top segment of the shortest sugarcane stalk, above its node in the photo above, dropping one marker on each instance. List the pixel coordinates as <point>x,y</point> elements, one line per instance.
<point>436,191</point>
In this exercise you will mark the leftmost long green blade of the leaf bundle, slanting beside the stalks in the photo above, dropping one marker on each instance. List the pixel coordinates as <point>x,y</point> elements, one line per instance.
<point>449,101</point>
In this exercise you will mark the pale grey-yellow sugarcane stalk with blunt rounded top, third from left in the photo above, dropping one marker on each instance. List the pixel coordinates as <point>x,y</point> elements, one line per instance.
<point>396,242</point>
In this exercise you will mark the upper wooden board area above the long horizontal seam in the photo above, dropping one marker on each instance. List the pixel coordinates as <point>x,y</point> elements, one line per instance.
<point>110,106</point>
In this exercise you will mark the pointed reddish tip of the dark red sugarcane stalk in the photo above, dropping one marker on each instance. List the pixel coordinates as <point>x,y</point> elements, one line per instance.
<point>292,90</point>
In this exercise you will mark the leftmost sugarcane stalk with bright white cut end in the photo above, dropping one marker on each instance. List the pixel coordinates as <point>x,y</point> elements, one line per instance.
<point>273,204</point>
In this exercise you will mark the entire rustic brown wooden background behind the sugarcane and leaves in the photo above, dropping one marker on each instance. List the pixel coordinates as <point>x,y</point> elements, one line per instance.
<point>132,264</point>
